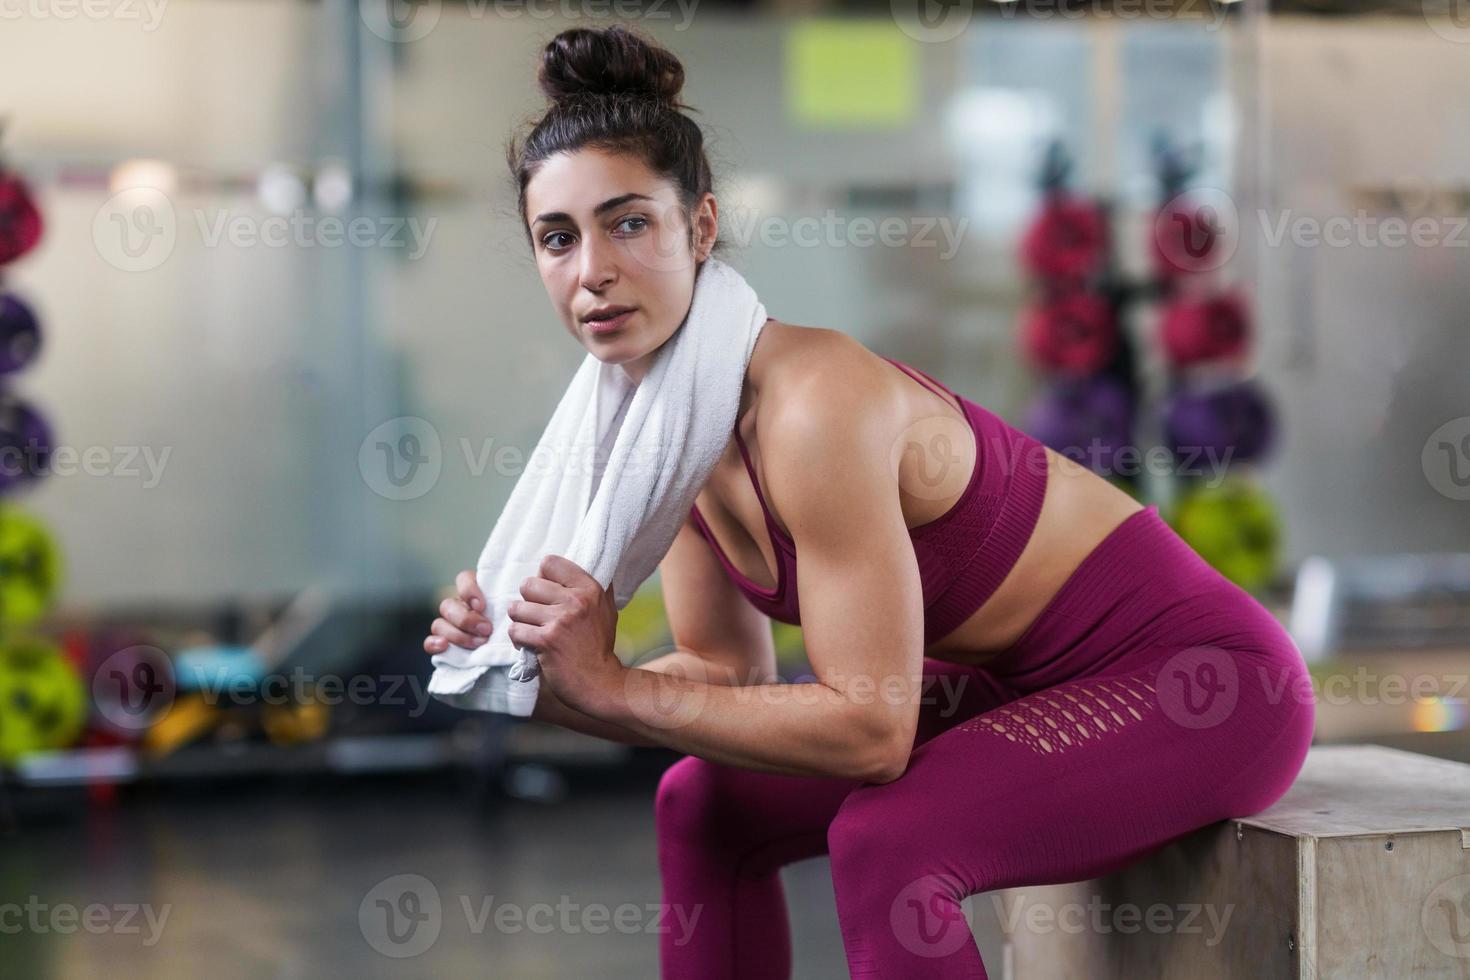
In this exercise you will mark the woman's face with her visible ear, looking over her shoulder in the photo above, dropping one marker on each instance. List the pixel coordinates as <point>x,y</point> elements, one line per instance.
<point>612,236</point>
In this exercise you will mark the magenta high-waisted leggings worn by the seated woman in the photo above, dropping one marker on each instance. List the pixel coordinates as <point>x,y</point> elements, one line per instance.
<point>1150,699</point>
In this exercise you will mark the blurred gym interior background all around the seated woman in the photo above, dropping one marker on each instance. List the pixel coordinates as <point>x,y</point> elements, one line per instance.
<point>271,323</point>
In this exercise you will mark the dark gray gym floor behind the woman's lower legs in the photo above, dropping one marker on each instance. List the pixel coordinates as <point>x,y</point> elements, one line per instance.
<point>270,879</point>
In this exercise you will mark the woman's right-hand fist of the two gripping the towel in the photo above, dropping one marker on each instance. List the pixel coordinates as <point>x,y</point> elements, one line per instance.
<point>571,622</point>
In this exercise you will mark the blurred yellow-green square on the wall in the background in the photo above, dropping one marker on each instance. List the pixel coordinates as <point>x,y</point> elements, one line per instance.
<point>852,74</point>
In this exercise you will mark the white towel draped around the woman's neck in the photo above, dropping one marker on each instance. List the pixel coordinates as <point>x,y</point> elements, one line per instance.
<point>614,521</point>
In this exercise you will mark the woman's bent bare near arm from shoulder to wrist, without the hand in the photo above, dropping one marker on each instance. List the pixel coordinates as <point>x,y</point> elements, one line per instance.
<point>862,609</point>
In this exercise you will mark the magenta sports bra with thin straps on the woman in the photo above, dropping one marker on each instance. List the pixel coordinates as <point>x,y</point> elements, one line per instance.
<point>964,555</point>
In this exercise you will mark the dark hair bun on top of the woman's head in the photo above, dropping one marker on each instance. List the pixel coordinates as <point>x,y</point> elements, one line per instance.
<point>611,61</point>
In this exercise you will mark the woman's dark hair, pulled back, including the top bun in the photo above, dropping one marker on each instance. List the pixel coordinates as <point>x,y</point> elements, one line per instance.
<point>614,90</point>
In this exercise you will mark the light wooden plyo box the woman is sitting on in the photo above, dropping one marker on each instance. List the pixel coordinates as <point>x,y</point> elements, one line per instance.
<point>1360,872</point>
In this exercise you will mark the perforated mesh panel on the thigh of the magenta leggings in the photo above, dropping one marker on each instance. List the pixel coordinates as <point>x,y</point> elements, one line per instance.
<point>1071,715</point>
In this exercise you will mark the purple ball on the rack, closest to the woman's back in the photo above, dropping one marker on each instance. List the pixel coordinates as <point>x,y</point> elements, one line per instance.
<point>1086,421</point>
